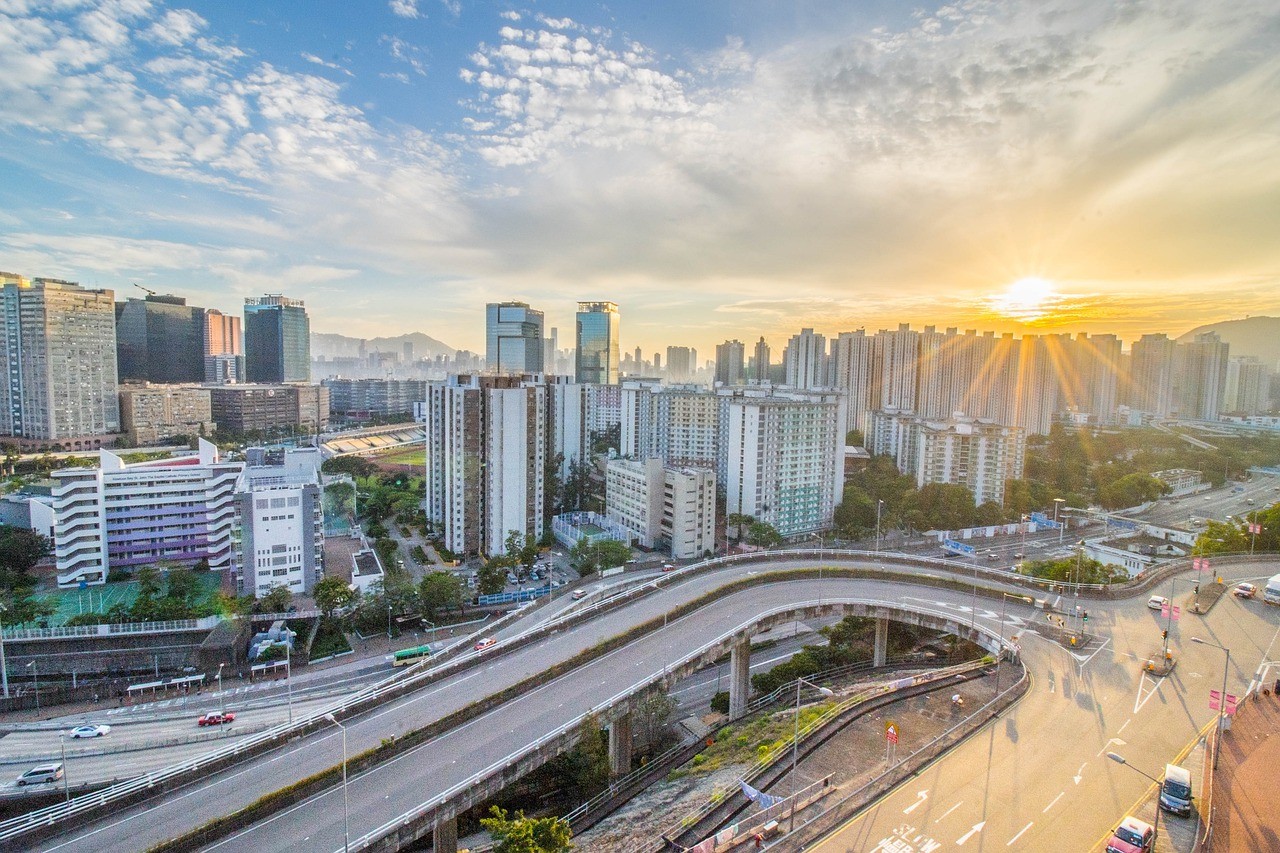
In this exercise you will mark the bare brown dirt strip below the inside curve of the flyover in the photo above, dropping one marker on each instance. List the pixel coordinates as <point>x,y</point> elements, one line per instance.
<point>852,758</point>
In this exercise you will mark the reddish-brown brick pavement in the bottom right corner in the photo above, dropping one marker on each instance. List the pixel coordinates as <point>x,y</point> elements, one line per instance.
<point>1246,799</point>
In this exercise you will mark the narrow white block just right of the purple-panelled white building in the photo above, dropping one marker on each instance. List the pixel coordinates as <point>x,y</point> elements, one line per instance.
<point>282,523</point>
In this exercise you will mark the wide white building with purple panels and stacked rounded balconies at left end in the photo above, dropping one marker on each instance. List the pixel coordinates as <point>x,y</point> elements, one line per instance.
<point>130,516</point>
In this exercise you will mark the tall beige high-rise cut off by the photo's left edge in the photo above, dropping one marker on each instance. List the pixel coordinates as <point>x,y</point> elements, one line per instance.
<point>58,377</point>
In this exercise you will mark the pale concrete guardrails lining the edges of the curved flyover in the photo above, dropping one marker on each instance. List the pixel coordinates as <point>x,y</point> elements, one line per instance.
<point>400,685</point>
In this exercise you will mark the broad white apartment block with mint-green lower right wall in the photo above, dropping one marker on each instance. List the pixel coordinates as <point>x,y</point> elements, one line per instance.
<point>783,458</point>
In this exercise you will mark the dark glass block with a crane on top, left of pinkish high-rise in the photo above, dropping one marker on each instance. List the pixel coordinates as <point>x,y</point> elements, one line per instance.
<point>161,340</point>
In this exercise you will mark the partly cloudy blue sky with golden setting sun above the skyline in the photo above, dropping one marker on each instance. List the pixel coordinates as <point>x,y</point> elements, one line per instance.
<point>721,170</point>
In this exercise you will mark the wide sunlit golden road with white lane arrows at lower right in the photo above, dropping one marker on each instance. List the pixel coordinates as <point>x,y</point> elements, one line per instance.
<point>1039,778</point>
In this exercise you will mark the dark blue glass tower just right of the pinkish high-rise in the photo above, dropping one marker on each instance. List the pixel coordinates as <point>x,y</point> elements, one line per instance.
<point>277,340</point>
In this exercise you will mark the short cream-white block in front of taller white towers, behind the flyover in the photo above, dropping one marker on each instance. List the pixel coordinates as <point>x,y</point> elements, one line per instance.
<point>669,507</point>
